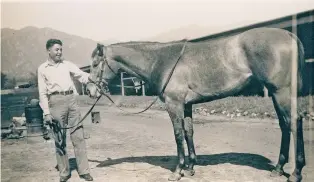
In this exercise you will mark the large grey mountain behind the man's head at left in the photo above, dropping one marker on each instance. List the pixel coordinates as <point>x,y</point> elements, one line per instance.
<point>22,51</point>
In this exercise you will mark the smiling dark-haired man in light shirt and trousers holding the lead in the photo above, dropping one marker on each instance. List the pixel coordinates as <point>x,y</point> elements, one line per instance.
<point>57,94</point>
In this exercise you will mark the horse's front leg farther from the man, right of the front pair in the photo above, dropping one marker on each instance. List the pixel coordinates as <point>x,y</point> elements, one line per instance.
<point>188,131</point>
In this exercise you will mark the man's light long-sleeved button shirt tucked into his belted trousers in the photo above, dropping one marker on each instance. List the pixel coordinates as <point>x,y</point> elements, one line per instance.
<point>58,77</point>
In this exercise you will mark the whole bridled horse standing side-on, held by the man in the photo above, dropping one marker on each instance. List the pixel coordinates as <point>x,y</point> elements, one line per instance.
<point>184,73</point>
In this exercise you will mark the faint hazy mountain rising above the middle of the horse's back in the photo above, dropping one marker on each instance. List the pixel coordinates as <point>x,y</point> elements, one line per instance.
<point>186,32</point>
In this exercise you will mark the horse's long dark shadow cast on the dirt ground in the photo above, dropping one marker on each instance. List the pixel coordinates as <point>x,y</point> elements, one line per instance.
<point>169,162</point>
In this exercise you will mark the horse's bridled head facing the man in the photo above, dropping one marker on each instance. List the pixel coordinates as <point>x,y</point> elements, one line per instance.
<point>102,70</point>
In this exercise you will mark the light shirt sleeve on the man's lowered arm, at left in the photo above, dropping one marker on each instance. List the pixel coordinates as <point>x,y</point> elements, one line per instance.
<point>43,92</point>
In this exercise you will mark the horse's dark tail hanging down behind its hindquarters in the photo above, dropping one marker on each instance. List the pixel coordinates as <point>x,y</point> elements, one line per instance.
<point>301,63</point>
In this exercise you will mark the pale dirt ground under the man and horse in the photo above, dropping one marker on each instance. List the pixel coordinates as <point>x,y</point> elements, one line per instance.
<point>141,148</point>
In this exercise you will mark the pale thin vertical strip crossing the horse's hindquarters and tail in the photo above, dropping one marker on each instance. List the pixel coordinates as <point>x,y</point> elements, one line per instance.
<point>294,82</point>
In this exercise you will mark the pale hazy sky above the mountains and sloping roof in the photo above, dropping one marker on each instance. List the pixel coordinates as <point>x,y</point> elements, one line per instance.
<point>136,19</point>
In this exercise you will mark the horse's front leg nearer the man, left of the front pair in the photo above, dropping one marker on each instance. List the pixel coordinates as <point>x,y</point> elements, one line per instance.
<point>176,113</point>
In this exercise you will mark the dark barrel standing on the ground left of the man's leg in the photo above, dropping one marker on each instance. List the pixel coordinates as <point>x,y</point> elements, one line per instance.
<point>34,119</point>
